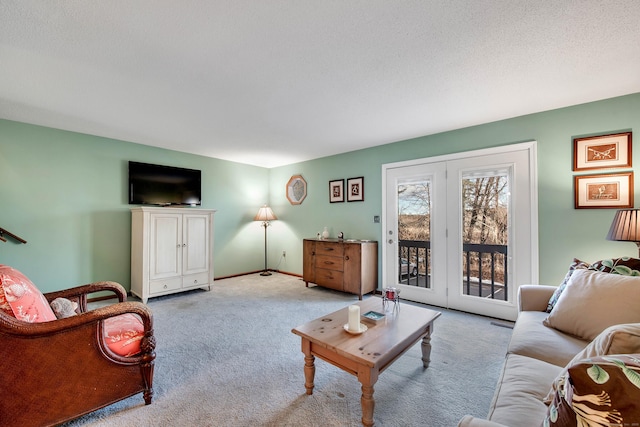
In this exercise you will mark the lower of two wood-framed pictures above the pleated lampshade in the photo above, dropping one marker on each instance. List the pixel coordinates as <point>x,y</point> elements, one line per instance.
<point>607,191</point>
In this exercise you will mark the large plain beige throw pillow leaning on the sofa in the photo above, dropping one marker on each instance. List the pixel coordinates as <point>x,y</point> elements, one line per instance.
<point>593,301</point>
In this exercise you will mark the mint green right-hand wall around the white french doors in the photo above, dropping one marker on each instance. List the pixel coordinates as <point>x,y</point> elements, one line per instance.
<point>564,232</point>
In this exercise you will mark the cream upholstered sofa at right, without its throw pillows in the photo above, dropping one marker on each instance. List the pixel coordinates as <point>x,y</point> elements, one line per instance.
<point>537,355</point>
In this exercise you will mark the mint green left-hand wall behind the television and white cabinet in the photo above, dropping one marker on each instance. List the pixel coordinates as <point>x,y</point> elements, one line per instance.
<point>66,194</point>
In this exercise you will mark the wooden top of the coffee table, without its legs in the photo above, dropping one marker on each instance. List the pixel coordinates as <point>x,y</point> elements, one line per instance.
<point>381,343</point>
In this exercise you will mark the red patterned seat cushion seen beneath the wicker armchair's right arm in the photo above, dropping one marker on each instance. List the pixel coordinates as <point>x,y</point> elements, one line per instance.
<point>123,334</point>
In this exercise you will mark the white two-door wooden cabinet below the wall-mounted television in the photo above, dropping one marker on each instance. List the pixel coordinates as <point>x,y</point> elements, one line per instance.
<point>171,250</point>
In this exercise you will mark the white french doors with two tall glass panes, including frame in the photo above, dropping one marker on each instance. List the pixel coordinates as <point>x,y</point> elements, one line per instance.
<point>460,231</point>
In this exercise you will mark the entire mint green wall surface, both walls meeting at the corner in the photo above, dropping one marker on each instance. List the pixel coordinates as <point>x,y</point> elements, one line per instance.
<point>66,194</point>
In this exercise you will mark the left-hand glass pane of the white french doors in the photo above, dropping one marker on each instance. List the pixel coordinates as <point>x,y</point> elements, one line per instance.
<point>414,230</point>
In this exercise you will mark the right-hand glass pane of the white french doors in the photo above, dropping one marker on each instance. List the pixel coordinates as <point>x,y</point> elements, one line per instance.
<point>485,227</point>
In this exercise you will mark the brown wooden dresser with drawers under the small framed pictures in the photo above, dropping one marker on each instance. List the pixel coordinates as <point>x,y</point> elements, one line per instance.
<point>344,265</point>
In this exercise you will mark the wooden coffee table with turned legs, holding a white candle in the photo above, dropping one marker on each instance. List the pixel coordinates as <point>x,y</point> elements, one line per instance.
<point>368,354</point>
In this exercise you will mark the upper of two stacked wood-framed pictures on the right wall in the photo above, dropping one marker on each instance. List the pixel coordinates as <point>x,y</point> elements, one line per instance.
<point>602,152</point>
